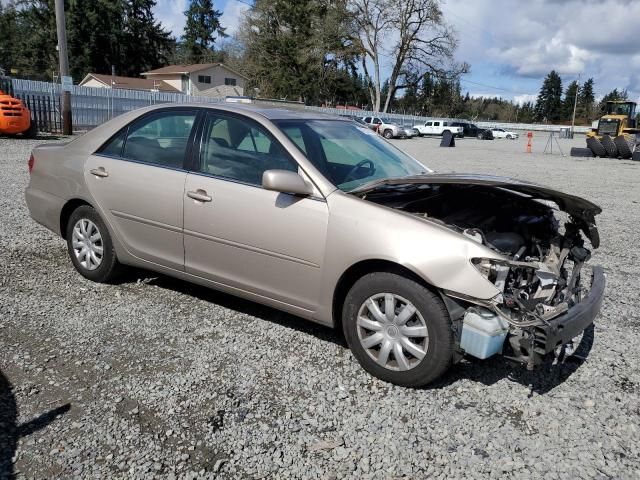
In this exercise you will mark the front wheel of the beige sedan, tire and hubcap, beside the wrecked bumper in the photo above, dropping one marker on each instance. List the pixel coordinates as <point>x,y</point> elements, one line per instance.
<point>398,330</point>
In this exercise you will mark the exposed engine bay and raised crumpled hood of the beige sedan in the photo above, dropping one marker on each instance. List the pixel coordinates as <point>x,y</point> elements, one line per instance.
<point>543,245</point>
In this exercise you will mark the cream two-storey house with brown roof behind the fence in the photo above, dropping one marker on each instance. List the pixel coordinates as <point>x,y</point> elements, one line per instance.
<point>205,79</point>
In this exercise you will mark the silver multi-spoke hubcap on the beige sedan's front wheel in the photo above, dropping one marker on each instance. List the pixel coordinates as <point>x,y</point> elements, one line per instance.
<point>392,331</point>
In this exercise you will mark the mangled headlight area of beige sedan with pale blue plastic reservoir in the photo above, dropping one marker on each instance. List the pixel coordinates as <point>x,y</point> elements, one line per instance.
<point>536,294</point>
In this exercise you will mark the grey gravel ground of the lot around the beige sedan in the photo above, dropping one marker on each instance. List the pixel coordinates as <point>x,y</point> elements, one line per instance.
<point>158,378</point>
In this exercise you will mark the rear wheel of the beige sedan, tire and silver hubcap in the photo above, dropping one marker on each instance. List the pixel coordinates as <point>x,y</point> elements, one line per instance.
<point>90,246</point>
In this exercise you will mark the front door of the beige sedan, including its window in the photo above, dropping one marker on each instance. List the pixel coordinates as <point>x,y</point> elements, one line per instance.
<point>238,234</point>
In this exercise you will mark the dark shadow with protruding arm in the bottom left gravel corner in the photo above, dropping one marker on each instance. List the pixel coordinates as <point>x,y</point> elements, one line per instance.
<point>11,432</point>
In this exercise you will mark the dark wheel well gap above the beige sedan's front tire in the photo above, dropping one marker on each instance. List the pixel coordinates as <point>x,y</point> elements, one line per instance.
<point>359,270</point>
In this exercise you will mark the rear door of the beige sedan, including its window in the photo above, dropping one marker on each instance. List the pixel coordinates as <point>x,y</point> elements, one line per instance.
<point>137,180</point>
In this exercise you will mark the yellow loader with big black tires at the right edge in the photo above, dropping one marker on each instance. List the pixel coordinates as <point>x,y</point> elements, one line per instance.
<point>614,135</point>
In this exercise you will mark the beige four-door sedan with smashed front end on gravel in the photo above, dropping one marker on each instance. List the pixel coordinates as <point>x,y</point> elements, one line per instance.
<point>319,217</point>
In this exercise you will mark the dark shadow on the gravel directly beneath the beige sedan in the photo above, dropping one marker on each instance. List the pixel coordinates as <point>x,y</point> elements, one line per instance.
<point>541,380</point>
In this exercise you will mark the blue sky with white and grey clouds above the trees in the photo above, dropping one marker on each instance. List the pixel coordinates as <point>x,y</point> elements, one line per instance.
<point>511,45</point>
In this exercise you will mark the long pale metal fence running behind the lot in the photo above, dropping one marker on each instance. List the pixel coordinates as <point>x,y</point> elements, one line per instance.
<point>92,106</point>
